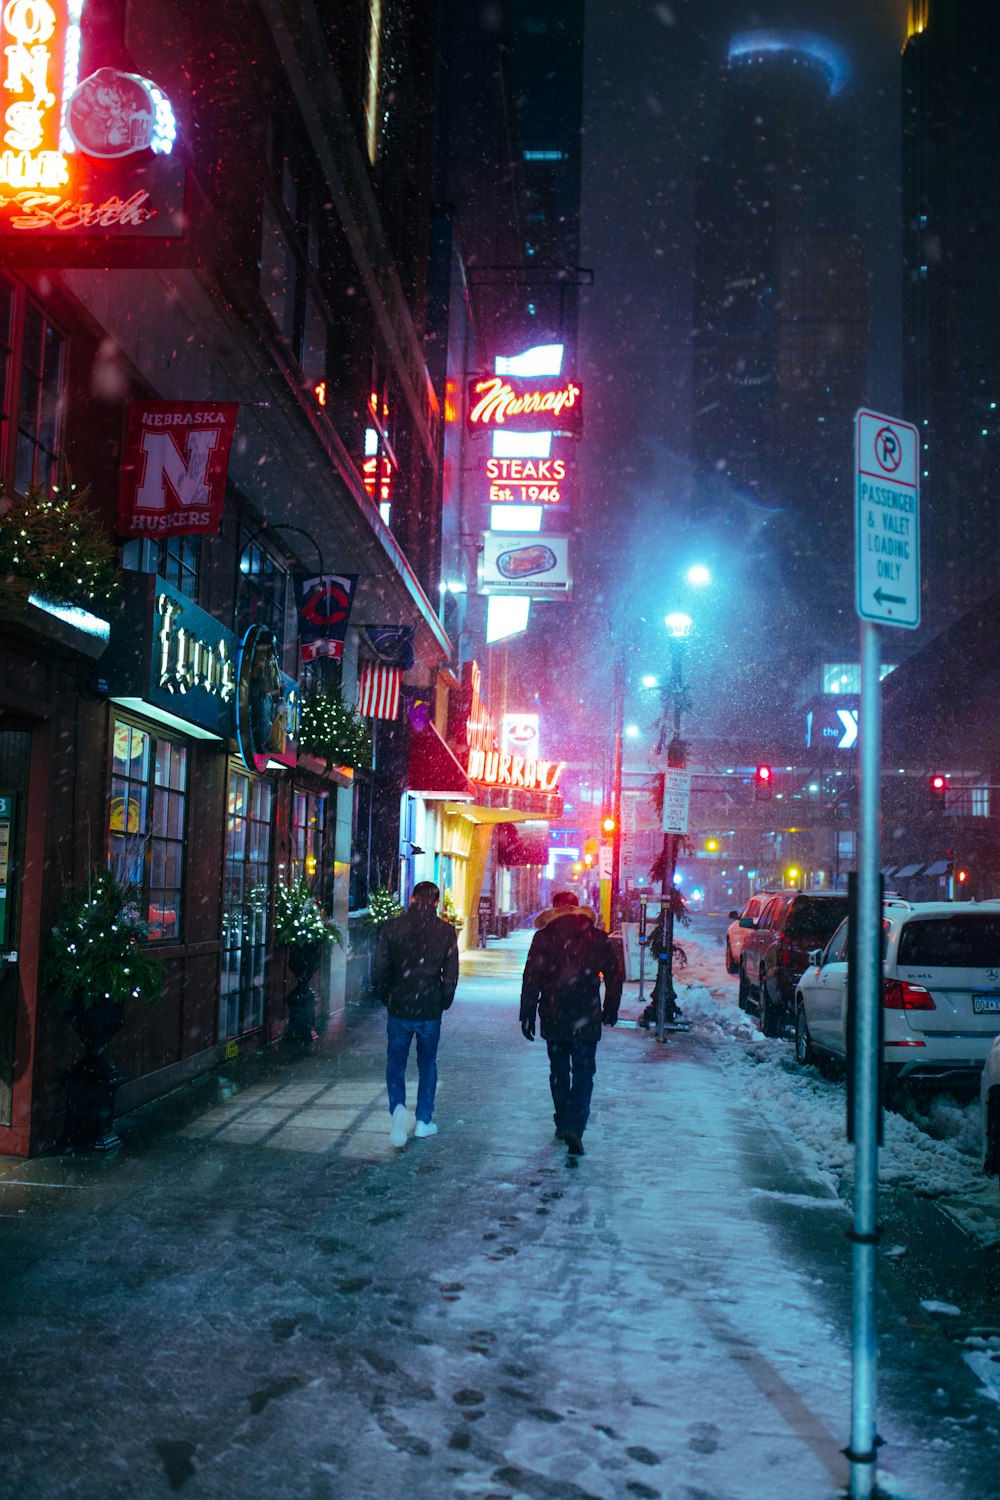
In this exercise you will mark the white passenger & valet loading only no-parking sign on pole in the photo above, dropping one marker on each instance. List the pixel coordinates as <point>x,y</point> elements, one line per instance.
<point>887,520</point>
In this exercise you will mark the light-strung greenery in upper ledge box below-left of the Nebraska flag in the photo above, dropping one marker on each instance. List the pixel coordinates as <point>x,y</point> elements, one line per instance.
<point>58,544</point>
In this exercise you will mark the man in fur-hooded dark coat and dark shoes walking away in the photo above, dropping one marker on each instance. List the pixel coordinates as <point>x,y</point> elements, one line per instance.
<point>567,959</point>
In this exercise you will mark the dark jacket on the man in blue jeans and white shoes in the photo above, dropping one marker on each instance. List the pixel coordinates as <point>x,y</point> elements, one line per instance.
<point>418,965</point>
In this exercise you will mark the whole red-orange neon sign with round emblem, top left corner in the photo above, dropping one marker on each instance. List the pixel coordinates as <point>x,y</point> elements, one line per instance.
<point>55,128</point>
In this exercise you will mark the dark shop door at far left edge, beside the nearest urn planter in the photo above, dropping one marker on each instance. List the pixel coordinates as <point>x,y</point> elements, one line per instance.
<point>16,749</point>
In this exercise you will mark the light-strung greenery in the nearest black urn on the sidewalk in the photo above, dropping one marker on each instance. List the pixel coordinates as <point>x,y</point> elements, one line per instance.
<point>95,949</point>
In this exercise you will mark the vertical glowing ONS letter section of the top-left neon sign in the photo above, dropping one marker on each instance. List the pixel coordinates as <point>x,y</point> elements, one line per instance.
<point>43,50</point>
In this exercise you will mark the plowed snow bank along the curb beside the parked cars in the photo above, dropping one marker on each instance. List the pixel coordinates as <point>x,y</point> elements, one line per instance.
<point>938,1154</point>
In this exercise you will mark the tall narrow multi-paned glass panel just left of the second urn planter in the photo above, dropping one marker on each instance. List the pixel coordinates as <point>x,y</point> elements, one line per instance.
<point>247,904</point>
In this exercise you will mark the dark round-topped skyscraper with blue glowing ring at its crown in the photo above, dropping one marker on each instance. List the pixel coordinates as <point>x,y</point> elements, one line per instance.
<point>780,323</point>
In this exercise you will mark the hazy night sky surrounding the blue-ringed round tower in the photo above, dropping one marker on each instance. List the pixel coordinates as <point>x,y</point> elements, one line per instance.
<point>650,94</point>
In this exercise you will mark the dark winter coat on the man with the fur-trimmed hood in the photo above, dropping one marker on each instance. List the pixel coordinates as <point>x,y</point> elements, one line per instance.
<point>563,979</point>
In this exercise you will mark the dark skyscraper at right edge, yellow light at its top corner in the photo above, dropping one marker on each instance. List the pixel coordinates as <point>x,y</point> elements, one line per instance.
<point>951,80</point>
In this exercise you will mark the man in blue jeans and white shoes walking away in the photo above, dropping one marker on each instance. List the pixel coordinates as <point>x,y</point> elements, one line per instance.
<point>416,977</point>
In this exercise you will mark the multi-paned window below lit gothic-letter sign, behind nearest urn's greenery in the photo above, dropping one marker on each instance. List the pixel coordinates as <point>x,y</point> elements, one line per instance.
<point>146,827</point>
